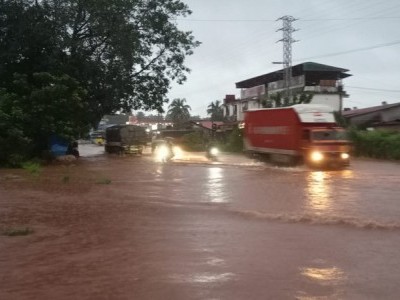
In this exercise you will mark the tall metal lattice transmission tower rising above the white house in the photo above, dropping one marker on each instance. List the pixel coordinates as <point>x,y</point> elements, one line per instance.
<point>287,40</point>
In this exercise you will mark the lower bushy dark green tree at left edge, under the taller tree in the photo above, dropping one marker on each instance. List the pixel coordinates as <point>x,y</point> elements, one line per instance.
<point>33,109</point>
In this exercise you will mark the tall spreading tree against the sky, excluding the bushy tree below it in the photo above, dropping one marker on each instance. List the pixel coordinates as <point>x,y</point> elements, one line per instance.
<point>125,53</point>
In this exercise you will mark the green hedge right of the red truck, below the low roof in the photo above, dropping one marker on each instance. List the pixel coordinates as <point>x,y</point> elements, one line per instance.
<point>378,143</point>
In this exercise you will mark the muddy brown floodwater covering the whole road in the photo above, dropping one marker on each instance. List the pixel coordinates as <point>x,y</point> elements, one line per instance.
<point>128,227</point>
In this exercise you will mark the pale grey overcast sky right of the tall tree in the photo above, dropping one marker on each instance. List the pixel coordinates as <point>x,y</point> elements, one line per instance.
<point>239,41</point>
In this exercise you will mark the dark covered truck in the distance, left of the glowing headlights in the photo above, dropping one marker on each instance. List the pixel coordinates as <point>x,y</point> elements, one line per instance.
<point>125,139</point>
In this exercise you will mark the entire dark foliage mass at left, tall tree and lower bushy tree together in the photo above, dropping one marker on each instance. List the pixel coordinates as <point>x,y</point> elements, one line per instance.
<point>66,63</point>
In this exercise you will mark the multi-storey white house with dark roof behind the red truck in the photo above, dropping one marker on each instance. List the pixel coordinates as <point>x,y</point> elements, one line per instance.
<point>322,82</point>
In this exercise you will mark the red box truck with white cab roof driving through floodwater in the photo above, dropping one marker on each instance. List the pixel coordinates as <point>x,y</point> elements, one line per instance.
<point>302,133</point>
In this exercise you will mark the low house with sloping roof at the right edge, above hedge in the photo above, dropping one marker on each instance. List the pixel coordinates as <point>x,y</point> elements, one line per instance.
<point>385,116</point>
